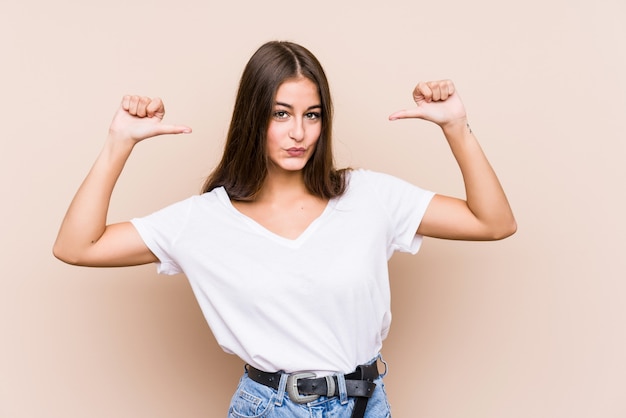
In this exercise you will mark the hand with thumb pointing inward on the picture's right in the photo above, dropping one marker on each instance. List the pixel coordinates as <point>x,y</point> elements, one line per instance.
<point>437,101</point>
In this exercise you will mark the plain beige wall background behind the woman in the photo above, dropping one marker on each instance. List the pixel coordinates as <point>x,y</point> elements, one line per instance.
<point>532,326</point>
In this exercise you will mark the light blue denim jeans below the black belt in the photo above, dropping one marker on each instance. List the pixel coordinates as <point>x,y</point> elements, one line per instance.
<point>254,400</point>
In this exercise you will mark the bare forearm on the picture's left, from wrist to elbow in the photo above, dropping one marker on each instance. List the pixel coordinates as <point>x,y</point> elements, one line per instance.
<point>85,220</point>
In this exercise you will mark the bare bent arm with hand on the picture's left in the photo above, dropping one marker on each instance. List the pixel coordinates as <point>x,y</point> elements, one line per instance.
<point>84,237</point>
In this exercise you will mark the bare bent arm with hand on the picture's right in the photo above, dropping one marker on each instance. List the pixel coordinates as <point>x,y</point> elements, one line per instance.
<point>485,214</point>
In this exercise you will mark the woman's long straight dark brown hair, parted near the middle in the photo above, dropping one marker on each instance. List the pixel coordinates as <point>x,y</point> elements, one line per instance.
<point>243,167</point>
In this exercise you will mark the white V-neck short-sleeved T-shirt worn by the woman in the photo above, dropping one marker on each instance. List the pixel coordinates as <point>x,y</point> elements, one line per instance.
<point>317,303</point>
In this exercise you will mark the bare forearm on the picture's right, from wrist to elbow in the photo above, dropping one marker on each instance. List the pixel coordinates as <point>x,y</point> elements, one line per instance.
<point>484,194</point>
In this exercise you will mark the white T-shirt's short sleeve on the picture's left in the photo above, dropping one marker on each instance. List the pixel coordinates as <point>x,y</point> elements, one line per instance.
<point>160,231</point>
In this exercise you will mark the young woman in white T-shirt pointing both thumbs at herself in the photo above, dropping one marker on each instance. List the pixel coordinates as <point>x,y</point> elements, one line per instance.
<point>287,255</point>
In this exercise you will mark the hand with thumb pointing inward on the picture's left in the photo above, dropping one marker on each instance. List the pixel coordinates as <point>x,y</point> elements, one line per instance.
<point>139,118</point>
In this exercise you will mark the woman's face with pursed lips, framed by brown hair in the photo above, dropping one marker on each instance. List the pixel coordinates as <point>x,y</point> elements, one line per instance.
<point>295,125</point>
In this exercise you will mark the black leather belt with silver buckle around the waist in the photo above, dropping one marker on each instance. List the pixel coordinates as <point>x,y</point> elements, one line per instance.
<point>305,387</point>
